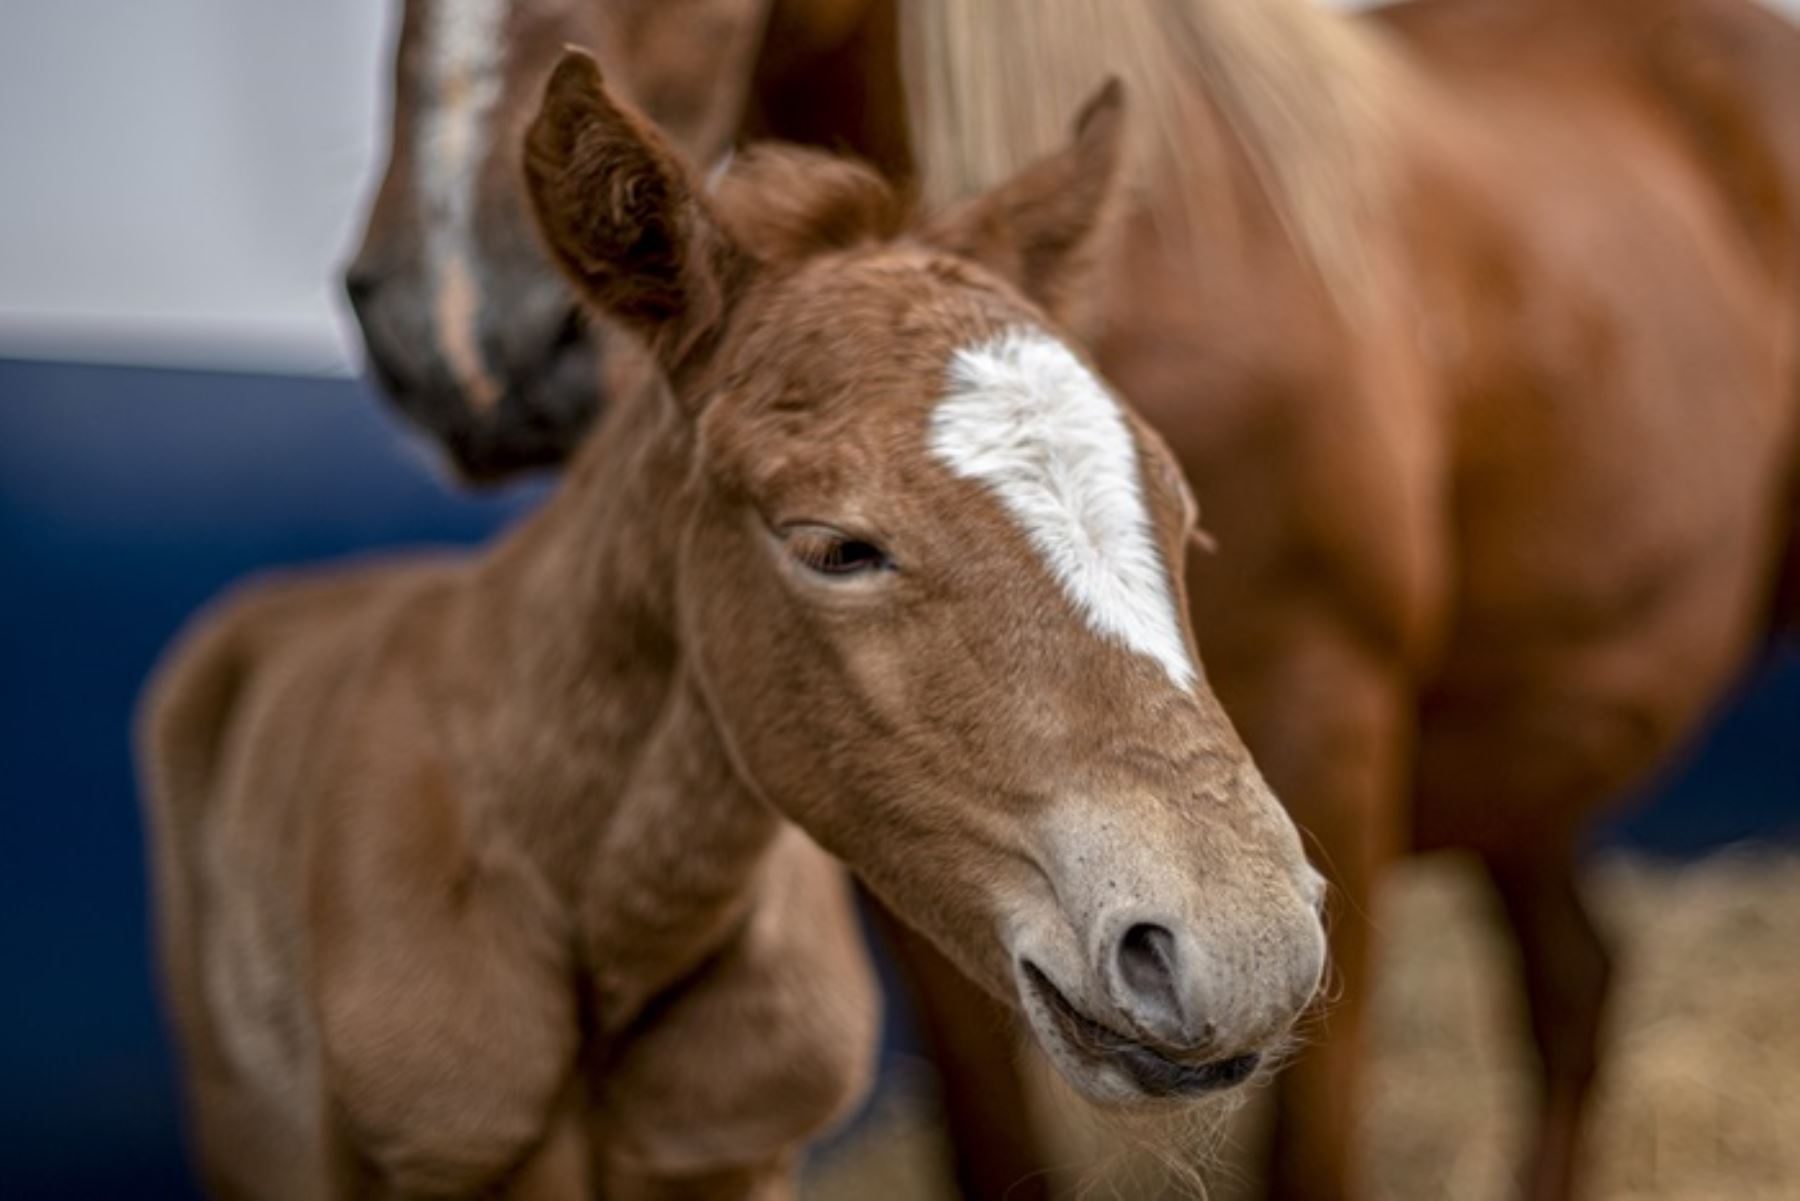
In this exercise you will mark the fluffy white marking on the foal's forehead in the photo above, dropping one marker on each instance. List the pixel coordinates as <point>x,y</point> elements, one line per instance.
<point>1032,424</point>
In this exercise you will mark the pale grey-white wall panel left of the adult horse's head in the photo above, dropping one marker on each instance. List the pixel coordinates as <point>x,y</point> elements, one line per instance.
<point>179,179</point>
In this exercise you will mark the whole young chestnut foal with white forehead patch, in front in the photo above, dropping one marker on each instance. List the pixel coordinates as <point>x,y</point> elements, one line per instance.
<point>480,876</point>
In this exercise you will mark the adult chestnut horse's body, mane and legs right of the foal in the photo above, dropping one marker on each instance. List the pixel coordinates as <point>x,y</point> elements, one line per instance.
<point>1475,325</point>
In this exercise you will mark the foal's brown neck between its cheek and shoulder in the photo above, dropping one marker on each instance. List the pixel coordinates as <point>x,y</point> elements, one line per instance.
<point>600,757</point>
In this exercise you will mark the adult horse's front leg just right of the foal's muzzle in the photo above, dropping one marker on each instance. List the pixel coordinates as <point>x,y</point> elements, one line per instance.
<point>1331,725</point>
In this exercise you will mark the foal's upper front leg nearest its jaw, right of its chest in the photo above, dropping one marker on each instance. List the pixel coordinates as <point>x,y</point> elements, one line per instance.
<point>717,1090</point>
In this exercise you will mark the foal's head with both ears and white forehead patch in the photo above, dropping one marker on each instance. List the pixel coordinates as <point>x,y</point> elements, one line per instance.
<point>930,584</point>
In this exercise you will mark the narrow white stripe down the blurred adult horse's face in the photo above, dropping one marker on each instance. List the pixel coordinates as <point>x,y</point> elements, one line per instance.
<point>463,62</point>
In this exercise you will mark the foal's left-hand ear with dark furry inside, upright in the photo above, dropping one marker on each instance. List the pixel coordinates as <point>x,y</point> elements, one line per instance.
<point>625,221</point>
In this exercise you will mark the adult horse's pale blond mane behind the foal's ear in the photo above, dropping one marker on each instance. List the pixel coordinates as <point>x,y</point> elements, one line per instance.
<point>1308,93</point>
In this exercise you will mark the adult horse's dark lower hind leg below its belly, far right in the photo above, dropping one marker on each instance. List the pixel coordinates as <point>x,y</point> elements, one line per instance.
<point>1567,971</point>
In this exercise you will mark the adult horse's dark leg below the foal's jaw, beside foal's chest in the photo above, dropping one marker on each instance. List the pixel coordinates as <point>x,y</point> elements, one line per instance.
<point>971,1038</point>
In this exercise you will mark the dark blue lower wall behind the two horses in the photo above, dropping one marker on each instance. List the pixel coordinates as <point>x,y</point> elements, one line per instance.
<point>127,498</point>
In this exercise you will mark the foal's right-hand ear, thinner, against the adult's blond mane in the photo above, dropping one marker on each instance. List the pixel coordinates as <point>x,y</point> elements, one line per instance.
<point>1043,228</point>
